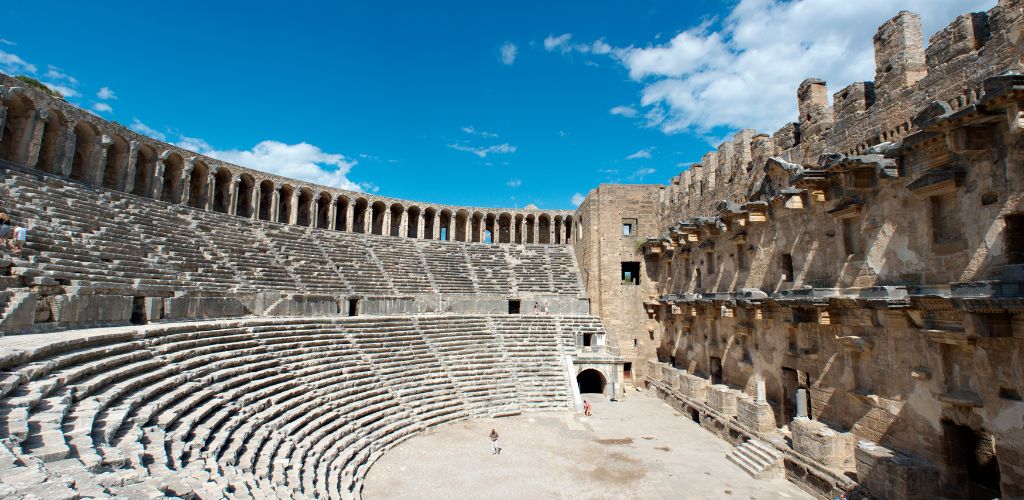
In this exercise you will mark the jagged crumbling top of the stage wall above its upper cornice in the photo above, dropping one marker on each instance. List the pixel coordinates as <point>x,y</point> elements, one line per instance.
<point>909,77</point>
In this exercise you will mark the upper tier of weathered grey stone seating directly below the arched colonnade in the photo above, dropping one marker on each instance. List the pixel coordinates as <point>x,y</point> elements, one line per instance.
<point>89,237</point>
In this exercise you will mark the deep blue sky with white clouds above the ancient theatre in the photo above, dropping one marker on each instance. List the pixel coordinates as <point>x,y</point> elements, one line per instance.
<point>488,104</point>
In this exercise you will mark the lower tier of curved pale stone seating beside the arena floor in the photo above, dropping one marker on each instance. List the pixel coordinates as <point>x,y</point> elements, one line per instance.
<point>286,408</point>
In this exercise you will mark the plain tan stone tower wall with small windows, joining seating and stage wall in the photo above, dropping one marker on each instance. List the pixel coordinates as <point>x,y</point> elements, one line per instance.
<point>603,248</point>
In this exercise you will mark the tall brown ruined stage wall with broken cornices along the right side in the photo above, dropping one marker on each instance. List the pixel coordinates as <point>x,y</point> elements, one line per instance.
<point>871,255</point>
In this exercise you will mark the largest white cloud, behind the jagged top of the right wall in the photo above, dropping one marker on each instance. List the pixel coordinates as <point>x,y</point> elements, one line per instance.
<point>744,71</point>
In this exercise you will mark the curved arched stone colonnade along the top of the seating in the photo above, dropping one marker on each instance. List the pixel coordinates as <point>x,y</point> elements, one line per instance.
<point>48,140</point>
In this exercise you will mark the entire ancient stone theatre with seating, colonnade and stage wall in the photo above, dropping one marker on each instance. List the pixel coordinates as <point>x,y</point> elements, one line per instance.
<point>841,302</point>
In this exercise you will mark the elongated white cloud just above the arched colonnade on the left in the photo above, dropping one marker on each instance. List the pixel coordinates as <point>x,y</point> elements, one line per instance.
<point>303,161</point>
